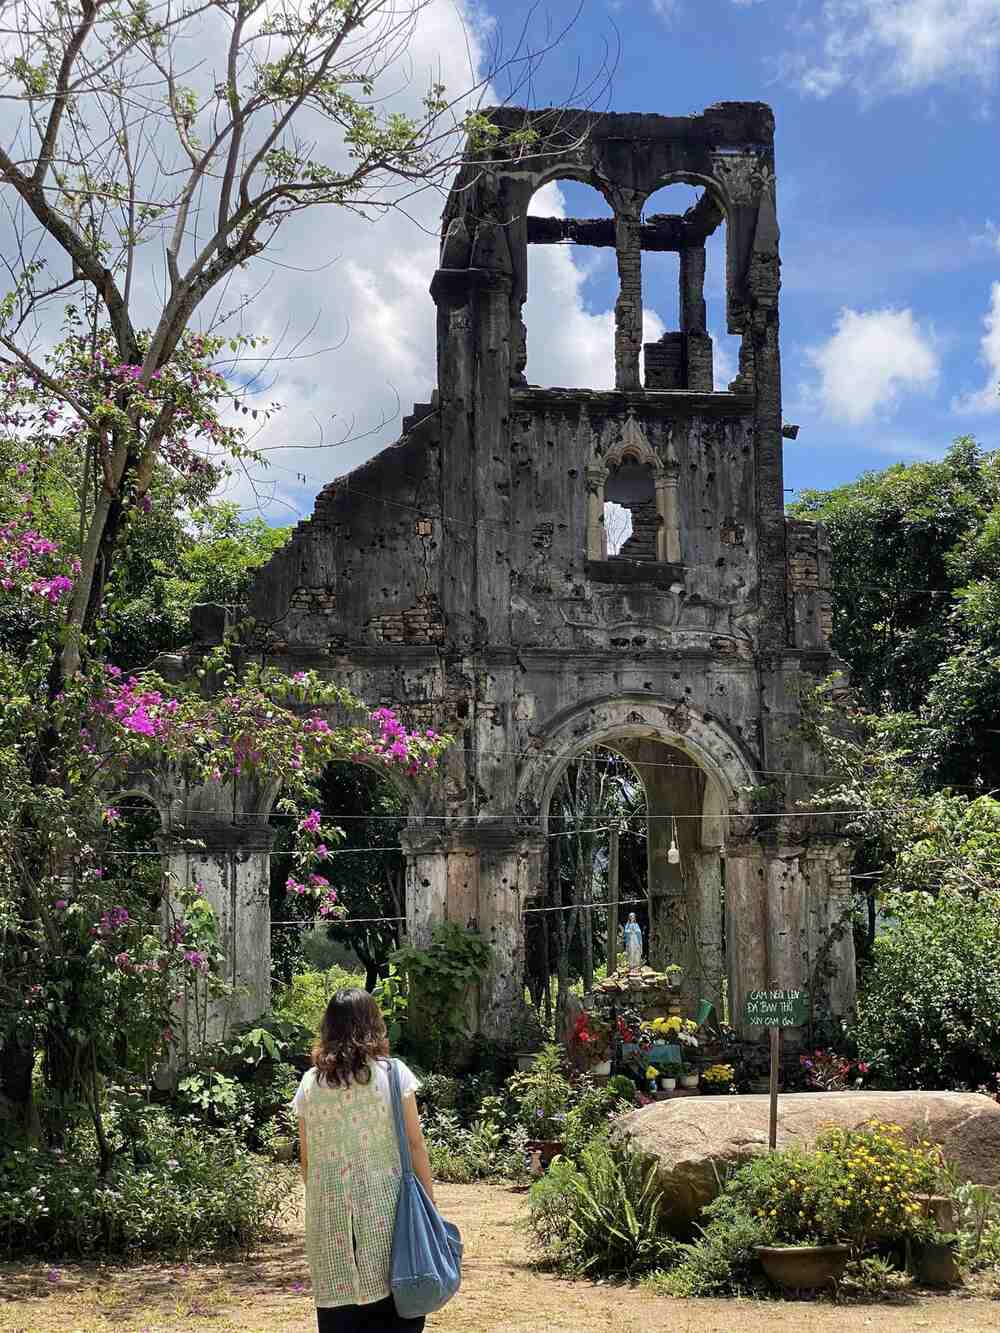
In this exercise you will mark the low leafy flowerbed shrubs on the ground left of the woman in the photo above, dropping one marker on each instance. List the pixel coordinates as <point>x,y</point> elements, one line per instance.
<point>193,1192</point>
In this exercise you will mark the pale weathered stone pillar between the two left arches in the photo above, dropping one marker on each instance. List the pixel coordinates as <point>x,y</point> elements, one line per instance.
<point>234,870</point>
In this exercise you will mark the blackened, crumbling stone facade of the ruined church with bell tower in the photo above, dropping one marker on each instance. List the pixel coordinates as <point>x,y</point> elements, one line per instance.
<point>463,574</point>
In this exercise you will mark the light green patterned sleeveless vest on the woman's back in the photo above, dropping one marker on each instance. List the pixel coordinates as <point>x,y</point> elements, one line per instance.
<point>351,1192</point>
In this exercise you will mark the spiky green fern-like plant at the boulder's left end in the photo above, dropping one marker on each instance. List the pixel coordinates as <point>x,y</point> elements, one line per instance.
<point>601,1216</point>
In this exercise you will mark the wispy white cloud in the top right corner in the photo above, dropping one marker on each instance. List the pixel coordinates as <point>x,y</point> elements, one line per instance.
<point>886,47</point>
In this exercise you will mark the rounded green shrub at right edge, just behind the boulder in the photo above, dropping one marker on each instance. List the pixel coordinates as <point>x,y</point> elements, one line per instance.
<point>930,1008</point>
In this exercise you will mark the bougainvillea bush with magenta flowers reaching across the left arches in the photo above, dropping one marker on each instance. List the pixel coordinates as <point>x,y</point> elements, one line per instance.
<point>90,972</point>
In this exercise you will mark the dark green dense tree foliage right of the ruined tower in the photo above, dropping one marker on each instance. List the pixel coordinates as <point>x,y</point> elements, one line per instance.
<point>917,602</point>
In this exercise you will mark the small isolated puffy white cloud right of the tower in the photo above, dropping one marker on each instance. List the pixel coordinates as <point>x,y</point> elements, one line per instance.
<point>871,359</point>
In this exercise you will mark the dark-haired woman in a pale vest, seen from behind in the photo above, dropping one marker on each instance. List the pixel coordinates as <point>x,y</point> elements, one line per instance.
<point>350,1162</point>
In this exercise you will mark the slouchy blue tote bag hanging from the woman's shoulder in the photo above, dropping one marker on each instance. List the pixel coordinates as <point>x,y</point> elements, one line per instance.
<point>426,1264</point>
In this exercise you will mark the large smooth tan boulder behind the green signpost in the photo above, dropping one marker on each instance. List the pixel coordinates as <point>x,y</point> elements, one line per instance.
<point>695,1140</point>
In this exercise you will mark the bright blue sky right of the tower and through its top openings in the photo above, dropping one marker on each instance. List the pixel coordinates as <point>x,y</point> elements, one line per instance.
<point>889,191</point>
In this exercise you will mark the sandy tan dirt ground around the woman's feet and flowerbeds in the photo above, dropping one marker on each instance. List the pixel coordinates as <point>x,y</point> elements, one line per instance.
<point>502,1294</point>
